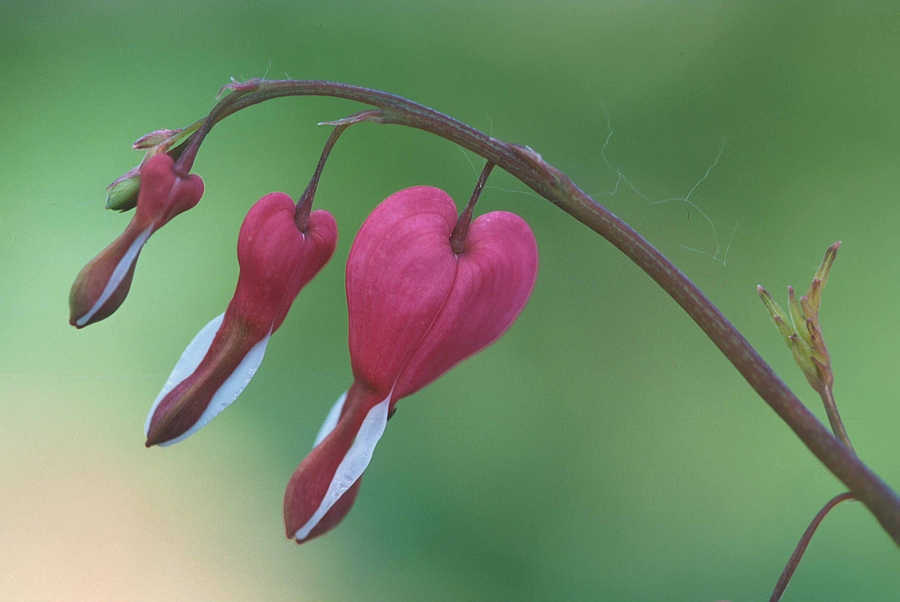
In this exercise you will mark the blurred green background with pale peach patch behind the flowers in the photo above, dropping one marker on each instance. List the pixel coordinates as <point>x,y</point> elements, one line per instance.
<point>604,449</point>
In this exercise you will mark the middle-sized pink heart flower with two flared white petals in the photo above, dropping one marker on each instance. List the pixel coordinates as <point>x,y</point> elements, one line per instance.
<point>276,261</point>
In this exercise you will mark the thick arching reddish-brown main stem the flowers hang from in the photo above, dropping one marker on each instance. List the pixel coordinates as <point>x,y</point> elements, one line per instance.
<point>529,167</point>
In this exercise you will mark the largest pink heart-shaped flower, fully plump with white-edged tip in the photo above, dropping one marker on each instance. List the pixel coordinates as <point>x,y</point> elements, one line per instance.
<point>416,310</point>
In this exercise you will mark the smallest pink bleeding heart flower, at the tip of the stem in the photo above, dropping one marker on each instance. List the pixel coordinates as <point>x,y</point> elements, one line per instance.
<point>102,285</point>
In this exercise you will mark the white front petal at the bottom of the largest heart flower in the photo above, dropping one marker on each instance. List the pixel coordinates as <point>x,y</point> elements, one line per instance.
<point>353,465</point>
